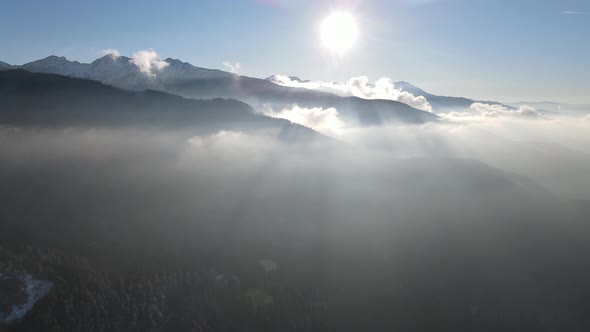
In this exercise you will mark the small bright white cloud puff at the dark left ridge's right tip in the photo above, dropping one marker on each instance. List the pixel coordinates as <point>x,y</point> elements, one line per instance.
<point>325,121</point>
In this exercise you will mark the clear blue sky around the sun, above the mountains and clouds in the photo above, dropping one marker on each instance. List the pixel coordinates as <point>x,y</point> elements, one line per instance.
<point>505,50</point>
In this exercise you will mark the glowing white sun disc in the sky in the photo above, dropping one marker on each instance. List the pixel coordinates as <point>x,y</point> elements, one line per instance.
<point>339,32</point>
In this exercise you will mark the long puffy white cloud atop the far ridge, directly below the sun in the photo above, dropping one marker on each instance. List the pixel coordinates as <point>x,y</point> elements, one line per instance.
<point>359,87</point>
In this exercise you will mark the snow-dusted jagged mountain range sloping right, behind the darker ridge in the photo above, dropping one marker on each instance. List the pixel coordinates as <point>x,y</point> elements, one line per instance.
<point>189,81</point>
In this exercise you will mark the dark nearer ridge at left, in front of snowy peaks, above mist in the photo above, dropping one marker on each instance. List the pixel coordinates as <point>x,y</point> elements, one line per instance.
<point>50,99</point>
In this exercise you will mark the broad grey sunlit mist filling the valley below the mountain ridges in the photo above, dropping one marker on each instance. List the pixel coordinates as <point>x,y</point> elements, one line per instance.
<point>454,219</point>
